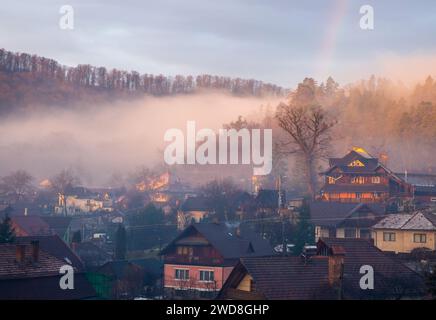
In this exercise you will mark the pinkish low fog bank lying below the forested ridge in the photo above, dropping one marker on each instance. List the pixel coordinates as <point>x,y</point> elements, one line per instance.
<point>98,141</point>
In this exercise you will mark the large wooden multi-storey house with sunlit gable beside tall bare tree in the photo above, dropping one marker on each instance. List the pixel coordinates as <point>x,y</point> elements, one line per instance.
<point>359,177</point>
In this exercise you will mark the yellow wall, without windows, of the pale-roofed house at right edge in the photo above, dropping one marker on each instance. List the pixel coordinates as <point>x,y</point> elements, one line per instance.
<point>403,240</point>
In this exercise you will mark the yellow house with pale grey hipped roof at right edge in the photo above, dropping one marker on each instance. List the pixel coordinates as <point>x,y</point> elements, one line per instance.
<point>404,232</point>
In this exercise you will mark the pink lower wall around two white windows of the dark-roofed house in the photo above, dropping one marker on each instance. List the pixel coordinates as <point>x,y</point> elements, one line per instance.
<point>220,276</point>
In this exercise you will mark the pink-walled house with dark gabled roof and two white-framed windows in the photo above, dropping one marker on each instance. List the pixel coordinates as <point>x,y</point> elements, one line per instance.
<point>200,259</point>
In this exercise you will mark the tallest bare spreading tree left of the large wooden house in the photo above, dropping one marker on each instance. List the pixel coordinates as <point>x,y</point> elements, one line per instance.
<point>308,128</point>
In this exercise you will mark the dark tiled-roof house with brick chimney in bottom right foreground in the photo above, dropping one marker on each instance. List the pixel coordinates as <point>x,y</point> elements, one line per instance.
<point>333,273</point>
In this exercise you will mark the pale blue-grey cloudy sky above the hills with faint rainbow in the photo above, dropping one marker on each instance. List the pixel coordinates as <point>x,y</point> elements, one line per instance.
<point>275,41</point>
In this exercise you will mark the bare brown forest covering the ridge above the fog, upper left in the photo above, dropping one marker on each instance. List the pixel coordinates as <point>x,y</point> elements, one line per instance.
<point>28,80</point>
